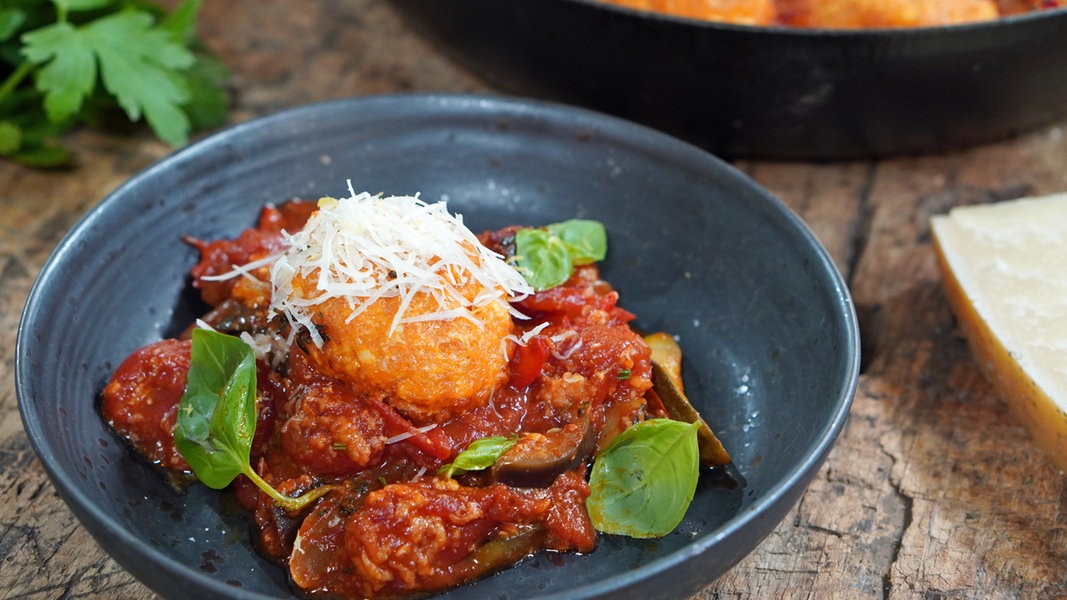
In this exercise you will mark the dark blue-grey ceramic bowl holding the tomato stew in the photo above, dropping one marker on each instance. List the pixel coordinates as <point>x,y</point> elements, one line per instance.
<point>696,249</point>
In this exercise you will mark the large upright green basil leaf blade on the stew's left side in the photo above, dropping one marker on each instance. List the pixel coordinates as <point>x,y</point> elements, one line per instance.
<point>217,415</point>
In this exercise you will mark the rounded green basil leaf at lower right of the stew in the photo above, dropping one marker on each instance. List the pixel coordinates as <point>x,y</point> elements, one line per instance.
<point>642,485</point>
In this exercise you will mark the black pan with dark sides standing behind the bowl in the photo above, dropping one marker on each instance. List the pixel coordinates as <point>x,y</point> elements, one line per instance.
<point>768,92</point>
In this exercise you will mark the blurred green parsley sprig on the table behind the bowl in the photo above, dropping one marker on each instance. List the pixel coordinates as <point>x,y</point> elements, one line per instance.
<point>70,62</point>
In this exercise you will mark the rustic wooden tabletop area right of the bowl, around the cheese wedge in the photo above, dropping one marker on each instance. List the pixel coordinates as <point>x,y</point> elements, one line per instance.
<point>934,491</point>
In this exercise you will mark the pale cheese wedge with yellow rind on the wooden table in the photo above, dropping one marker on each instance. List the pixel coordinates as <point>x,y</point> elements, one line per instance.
<point>1005,269</point>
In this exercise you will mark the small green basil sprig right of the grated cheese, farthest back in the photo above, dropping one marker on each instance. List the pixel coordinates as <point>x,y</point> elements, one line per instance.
<point>547,257</point>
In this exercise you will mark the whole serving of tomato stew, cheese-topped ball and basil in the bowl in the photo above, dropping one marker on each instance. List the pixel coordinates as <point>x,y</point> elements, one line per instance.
<point>404,407</point>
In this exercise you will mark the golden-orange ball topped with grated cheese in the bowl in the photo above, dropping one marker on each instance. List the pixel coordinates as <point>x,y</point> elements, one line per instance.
<point>397,298</point>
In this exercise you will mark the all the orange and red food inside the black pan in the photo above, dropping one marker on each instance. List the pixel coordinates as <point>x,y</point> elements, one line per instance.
<point>843,14</point>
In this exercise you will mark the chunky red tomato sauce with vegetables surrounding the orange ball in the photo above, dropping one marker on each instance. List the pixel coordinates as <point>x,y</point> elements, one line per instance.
<point>391,527</point>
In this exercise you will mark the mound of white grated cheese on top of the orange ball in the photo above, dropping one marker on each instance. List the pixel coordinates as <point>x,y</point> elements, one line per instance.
<point>365,248</point>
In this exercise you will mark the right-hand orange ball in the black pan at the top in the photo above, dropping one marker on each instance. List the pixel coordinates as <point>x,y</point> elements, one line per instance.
<point>861,14</point>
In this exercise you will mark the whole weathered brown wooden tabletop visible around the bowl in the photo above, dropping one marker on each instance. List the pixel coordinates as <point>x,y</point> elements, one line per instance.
<point>933,492</point>
